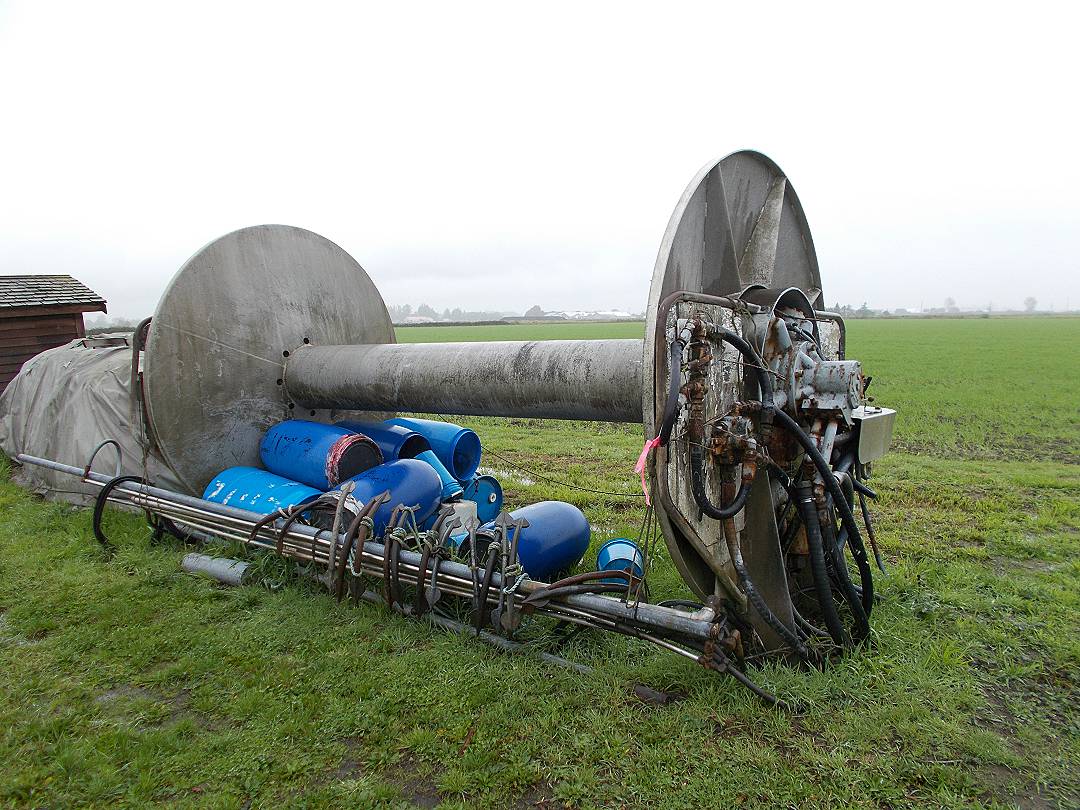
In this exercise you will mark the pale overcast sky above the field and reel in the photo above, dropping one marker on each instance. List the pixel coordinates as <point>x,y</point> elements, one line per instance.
<point>489,156</point>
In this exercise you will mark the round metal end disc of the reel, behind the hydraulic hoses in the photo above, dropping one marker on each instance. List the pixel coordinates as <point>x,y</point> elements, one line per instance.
<point>738,224</point>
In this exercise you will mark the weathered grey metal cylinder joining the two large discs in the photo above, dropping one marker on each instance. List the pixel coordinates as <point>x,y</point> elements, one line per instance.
<point>553,380</point>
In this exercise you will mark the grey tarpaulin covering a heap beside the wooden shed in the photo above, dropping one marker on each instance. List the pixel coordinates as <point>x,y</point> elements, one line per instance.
<point>64,403</point>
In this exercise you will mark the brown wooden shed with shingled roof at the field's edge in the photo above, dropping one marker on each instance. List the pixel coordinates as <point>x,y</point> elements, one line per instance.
<point>39,313</point>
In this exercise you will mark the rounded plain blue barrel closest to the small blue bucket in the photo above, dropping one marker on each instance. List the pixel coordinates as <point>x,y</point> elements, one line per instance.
<point>556,539</point>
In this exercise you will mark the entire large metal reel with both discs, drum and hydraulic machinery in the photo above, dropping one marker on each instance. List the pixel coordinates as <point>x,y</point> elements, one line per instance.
<point>275,322</point>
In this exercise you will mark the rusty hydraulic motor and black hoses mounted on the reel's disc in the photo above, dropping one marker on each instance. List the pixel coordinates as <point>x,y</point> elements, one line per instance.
<point>754,439</point>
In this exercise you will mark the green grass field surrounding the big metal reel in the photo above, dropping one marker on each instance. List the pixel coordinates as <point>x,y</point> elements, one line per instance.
<point>129,683</point>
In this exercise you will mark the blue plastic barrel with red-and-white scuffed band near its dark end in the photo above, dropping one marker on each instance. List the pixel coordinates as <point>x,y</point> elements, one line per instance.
<point>319,455</point>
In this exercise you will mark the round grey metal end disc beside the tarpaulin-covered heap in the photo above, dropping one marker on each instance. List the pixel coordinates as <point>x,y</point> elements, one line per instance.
<point>214,363</point>
